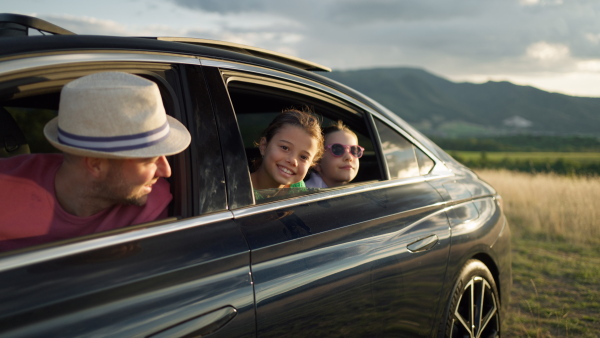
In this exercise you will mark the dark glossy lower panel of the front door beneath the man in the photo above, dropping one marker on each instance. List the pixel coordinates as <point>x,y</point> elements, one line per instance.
<point>137,287</point>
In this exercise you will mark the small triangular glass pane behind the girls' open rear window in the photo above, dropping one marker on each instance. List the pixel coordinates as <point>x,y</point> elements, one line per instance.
<point>403,158</point>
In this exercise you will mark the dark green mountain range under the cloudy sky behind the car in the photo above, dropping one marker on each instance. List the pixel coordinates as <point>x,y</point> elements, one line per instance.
<point>440,107</point>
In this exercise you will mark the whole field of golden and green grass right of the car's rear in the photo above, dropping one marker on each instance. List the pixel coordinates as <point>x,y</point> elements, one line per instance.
<point>556,253</point>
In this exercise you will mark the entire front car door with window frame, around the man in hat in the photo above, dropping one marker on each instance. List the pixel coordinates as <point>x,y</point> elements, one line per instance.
<point>185,275</point>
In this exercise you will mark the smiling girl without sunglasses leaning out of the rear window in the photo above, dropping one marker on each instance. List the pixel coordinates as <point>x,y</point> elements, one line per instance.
<point>289,146</point>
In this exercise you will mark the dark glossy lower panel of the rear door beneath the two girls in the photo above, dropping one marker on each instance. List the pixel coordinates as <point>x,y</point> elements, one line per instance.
<point>311,261</point>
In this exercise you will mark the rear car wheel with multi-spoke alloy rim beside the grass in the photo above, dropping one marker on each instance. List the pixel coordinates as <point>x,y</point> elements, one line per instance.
<point>474,308</point>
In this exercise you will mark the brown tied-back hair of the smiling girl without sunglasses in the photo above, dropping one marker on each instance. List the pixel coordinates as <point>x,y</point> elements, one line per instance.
<point>304,119</point>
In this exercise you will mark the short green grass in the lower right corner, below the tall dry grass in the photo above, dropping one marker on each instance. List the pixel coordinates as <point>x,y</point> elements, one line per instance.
<point>556,290</point>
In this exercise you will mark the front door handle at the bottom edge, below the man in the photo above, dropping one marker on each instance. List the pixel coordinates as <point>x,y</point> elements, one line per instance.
<point>199,326</point>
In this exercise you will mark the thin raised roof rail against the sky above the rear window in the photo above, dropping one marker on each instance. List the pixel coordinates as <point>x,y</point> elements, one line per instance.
<point>254,51</point>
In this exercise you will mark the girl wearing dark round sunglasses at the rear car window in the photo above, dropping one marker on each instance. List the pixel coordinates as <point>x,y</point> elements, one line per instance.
<point>339,164</point>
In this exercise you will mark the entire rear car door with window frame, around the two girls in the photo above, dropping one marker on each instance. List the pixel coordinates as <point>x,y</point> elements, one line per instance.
<point>364,259</point>
